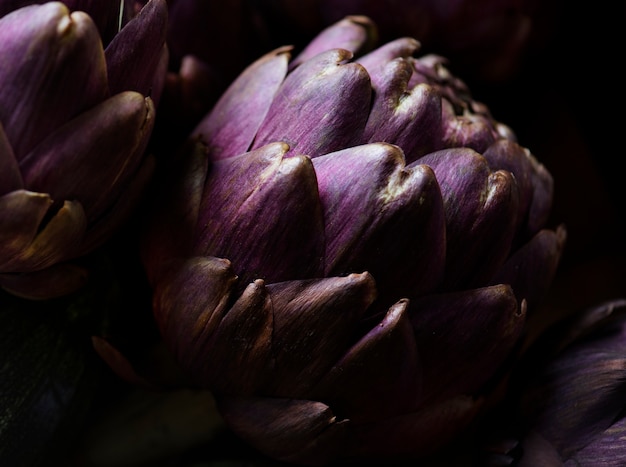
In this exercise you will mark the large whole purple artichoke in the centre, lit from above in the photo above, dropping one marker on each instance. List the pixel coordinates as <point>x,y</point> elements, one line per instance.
<point>348,249</point>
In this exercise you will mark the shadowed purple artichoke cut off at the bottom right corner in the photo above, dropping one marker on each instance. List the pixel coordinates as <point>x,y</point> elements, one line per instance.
<point>569,395</point>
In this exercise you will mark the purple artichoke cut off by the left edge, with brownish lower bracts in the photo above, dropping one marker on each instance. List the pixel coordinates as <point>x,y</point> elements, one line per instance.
<point>75,120</point>
